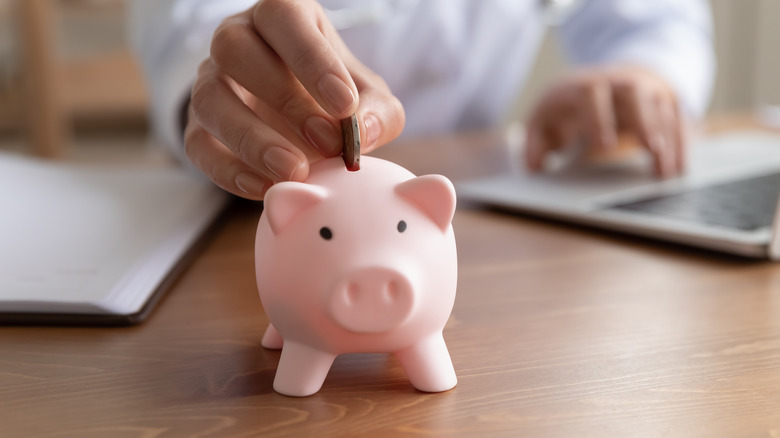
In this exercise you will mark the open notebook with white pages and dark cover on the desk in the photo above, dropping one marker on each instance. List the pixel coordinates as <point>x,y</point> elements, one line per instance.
<point>95,244</point>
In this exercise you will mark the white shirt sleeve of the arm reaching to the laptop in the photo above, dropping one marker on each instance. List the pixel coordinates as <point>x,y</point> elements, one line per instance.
<point>670,37</point>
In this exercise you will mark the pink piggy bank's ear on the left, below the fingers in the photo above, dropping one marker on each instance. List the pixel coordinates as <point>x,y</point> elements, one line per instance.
<point>285,200</point>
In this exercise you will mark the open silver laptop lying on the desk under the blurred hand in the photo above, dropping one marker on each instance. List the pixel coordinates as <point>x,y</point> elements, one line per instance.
<point>726,201</point>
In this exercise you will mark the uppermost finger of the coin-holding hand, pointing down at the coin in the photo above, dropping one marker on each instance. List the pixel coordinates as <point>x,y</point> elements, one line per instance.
<point>293,32</point>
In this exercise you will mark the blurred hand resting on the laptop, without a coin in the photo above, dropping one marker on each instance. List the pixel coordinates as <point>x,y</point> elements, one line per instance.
<point>595,105</point>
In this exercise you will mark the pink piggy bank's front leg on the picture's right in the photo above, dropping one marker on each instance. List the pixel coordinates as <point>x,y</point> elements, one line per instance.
<point>428,365</point>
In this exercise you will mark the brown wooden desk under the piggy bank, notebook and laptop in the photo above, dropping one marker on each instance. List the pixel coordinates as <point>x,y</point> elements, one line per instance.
<point>557,331</point>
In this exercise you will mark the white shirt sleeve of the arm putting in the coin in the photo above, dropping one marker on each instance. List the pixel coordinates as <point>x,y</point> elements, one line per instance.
<point>171,38</point>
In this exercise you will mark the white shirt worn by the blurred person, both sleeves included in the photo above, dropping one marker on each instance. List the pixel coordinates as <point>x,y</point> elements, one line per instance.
<point>454,64</point>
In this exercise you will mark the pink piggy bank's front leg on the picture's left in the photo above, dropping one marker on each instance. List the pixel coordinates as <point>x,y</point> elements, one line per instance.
<point>302,369</point>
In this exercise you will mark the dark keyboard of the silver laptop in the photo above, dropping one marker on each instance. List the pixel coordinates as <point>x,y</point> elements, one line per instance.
<point>744,205</point>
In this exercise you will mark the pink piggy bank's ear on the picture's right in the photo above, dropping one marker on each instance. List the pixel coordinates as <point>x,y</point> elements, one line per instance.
<point>434,195</point>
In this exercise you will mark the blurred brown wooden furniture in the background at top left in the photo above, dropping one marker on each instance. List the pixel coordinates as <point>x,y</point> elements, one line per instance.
<point>56,91</point>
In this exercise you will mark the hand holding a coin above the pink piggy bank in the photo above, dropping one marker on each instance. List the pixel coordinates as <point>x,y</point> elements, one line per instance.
<point>269,98</point>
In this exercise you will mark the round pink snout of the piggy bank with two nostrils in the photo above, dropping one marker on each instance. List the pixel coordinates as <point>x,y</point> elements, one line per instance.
<point>372,300</point>
